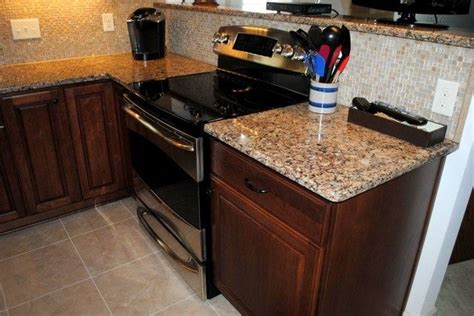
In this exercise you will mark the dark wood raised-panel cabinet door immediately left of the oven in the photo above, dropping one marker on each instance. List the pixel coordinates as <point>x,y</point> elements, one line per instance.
<point>95,130</point>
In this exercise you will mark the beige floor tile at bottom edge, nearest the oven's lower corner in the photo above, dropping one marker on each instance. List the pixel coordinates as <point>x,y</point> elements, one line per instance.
<point>142,287</point>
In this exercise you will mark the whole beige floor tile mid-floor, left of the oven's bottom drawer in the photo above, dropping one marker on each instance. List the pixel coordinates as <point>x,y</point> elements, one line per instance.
<point>112,246</point>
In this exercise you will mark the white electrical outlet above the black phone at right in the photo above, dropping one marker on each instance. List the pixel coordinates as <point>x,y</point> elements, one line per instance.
<point>445,97</point>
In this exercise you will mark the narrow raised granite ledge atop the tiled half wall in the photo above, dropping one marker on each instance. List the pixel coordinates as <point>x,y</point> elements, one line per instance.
<point>455,37</point>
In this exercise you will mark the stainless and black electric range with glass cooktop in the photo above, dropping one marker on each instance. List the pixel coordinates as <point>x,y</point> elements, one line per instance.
<point>165,121</point>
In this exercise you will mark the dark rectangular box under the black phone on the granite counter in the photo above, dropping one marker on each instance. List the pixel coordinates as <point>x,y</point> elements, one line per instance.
<point>425,136</point>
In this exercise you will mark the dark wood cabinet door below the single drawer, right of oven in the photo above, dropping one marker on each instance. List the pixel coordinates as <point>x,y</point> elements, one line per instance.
<point>261,265</point>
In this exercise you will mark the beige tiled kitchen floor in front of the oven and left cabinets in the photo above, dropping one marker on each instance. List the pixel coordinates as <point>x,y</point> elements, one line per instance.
<point>96,262</point>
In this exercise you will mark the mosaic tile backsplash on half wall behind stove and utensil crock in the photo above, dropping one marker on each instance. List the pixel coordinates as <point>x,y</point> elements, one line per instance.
<point>400,71</point>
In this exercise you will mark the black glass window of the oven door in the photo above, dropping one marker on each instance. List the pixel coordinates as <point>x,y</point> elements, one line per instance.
<point>165,178</point>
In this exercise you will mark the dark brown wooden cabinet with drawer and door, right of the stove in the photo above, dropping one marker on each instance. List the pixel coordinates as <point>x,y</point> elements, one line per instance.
<point>278,249</point>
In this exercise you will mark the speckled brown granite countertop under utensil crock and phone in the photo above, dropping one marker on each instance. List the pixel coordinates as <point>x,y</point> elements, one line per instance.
<point>323,153</point>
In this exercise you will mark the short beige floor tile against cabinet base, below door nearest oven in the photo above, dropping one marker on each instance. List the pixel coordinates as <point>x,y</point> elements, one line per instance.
<point>83,222</point>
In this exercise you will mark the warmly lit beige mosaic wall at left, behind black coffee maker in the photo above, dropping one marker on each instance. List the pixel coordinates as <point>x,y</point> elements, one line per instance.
<point>69,28</point>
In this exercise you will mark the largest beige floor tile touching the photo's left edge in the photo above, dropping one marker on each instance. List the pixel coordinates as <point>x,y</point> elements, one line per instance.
<point>40,272</point>
